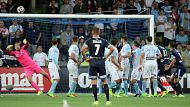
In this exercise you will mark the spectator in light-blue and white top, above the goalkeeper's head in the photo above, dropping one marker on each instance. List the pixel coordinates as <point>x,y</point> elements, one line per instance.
<point>12,29</point>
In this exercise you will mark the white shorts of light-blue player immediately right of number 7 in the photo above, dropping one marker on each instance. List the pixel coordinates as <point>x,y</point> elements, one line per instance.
<point>115,74</point>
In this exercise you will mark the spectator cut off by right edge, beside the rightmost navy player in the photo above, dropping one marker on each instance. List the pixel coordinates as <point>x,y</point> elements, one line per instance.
<point>186,55</point>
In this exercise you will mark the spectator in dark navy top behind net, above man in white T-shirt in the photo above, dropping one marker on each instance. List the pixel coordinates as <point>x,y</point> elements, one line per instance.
<point>33,35</point>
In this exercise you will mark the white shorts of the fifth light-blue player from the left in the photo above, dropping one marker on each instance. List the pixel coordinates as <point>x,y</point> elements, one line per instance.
<point>136,74</point>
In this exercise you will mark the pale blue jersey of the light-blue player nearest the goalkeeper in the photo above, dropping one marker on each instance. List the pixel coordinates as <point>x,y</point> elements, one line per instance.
<point>53,55</point>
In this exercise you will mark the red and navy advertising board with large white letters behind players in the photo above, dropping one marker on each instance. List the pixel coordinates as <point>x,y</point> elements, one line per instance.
<point>16,77</point>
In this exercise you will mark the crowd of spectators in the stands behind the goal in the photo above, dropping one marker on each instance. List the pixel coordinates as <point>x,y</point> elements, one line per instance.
<point>172,21</point>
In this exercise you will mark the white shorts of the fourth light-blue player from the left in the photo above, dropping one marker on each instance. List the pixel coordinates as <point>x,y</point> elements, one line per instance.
<point>126,69</point>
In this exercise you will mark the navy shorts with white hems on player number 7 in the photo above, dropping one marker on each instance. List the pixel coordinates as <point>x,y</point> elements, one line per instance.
<point>97,72</point>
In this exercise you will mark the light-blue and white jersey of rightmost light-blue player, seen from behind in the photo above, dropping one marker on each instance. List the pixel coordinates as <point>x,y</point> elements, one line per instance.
<point>151,52</point>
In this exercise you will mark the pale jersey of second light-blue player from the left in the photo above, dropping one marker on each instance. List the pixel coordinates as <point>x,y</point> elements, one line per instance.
<point>75,50</point>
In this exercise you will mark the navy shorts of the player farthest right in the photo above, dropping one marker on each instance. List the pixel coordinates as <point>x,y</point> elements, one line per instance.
<point>180,71</point>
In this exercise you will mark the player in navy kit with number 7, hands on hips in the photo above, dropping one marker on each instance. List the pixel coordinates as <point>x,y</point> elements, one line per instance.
<point>96,46</point>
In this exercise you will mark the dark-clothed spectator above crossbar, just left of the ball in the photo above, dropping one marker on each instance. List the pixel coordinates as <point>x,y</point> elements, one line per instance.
<point>11,7</point>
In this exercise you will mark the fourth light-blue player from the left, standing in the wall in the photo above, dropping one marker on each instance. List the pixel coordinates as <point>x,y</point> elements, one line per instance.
<point>125,53</point>
